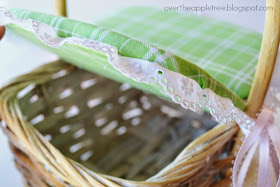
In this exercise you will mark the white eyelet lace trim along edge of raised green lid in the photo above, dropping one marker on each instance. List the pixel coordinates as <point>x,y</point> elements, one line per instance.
<point>183,90</point>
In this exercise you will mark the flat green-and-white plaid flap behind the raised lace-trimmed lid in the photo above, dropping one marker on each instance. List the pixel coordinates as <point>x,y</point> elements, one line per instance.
<point>227,52</point>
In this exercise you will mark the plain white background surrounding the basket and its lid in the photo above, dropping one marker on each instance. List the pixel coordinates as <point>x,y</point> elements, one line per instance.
<point>18,56</point>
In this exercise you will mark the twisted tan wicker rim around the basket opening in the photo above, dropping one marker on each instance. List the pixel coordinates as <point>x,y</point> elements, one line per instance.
<point>74,173</point>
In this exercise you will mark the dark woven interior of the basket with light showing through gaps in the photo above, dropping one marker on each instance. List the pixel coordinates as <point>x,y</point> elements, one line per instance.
<point>110,127</point>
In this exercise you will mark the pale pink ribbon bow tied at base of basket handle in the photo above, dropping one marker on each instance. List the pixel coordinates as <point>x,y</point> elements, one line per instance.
<point>265,135</point>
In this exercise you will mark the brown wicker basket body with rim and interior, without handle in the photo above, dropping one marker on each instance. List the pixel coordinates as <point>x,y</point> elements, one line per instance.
<point>69,127</point>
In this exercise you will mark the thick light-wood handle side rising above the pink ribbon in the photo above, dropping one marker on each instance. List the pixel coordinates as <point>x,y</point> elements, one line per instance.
<point>267,58</point>
